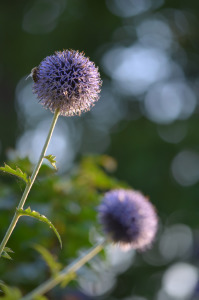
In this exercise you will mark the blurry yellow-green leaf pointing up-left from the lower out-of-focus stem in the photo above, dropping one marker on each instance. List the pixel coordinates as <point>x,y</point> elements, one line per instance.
<point>53,265</point>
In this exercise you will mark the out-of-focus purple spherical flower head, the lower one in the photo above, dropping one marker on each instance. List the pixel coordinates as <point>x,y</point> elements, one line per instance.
<point>128,218</point>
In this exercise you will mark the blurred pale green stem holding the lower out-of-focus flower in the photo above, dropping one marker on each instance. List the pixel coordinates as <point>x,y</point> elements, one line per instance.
<point>70,269</point>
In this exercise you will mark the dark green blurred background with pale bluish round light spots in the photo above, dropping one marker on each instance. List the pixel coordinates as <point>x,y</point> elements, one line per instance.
<point>146,119</point>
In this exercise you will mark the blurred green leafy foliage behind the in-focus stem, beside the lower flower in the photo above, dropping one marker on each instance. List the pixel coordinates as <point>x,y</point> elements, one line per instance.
<point>70,201</point>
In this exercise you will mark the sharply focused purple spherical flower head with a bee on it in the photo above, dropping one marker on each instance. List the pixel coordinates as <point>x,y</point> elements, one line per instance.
<point>68,81</point>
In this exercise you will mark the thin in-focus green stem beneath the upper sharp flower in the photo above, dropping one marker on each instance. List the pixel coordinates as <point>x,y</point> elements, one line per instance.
<point>29,184</point>
